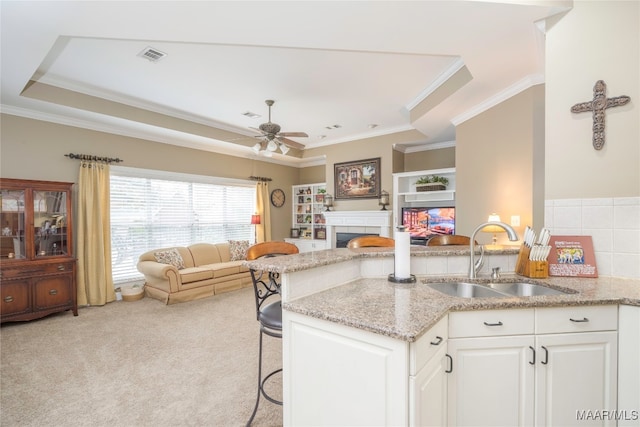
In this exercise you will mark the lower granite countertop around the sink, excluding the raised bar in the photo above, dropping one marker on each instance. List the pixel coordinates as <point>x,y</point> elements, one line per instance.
<point>406,311</point>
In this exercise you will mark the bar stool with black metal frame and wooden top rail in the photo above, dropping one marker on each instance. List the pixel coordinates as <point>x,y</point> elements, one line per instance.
<point>266,286</point>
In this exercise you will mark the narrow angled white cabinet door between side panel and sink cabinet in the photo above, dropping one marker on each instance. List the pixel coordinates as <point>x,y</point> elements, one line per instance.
<point>428,392</point>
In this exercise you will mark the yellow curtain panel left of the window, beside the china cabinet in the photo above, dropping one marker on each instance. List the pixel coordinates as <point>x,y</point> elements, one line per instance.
<point>95,282</point>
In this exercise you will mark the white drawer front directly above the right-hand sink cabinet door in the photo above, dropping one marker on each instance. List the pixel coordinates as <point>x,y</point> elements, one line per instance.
<point>576,319</point>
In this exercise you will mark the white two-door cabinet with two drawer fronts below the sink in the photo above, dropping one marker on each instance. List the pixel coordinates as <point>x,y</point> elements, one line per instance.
<point>526,367</point>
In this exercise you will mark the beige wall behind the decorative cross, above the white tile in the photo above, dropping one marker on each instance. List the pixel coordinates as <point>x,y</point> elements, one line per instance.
<point>596,40</point>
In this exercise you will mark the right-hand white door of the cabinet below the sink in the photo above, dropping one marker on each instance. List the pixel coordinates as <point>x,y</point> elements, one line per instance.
<point>576,378</point>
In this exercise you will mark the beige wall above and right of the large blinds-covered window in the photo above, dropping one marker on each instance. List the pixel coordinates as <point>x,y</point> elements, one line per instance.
<point>33,149</point>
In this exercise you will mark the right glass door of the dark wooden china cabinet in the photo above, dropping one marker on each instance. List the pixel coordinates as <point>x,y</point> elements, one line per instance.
<point>49,221</point>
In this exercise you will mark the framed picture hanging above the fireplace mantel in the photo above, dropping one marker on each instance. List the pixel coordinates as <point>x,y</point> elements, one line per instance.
<point>357,180</point>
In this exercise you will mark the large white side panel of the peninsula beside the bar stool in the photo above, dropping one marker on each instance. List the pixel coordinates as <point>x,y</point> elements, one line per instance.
<point>339,376</point>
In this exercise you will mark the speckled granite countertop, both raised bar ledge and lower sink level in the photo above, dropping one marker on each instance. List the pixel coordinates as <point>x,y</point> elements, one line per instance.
<point>406,311</point>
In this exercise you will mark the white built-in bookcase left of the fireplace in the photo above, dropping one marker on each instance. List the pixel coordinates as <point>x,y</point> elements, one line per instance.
<point>308,219</point>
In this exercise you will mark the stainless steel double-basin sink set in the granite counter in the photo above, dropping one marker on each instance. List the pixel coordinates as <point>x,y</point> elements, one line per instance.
<point>493,290</point>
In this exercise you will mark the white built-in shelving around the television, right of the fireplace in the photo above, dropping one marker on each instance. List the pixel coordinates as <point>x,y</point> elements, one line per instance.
<point>406,195</point>
